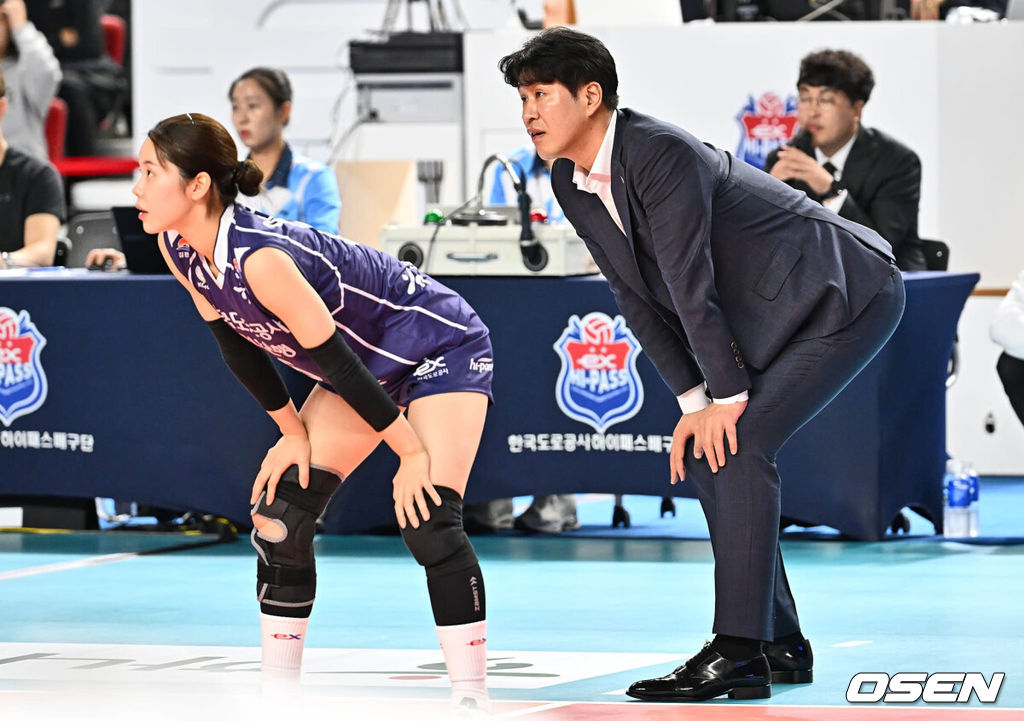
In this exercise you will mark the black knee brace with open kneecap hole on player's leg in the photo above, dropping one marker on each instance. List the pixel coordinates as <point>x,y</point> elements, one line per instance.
<point>286,572</point>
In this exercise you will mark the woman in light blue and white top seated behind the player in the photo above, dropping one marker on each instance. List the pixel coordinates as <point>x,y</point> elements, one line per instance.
<point>294,188</point>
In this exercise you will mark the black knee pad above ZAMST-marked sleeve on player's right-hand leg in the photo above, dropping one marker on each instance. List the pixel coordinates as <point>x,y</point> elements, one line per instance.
<point>441,545</point>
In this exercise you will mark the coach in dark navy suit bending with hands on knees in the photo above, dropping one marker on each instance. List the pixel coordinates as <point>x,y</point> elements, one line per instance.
<point>740,288</point>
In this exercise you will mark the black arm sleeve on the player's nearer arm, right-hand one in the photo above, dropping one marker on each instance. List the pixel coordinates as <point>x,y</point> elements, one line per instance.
<point>354,383</point>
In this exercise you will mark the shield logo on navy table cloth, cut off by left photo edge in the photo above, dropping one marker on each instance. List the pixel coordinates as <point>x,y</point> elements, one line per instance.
<point>23,384</point>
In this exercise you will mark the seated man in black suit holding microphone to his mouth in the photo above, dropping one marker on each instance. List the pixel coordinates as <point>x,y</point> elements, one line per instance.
<point>861,174</point>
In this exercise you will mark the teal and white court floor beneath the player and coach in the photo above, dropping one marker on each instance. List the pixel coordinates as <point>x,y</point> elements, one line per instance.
<point>126,625</point>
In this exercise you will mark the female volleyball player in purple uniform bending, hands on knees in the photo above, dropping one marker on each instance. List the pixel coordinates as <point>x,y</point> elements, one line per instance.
<point>377,336</point>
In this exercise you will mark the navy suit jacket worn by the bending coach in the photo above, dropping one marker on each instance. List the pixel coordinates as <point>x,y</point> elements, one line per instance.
<point>721,266</point>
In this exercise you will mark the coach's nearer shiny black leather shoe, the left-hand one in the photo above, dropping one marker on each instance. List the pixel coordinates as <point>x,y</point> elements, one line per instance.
<point>707,675</point>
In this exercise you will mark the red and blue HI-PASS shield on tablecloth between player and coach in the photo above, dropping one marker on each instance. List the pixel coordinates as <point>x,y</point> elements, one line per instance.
<point>599,385</point>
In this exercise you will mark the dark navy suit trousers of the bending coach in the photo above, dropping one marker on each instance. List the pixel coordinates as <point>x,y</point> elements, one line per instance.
<point>743,501</point>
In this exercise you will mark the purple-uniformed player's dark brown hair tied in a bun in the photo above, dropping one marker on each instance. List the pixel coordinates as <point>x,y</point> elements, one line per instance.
<point>198,144</point>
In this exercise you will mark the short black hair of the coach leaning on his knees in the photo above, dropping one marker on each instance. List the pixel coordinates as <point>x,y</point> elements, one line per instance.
<point>568,57</point>
